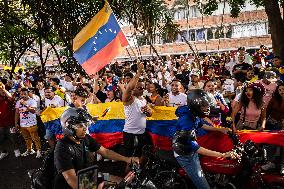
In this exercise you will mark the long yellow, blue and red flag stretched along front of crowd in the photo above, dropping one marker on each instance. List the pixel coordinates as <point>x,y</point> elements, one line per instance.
<point>161,127</point>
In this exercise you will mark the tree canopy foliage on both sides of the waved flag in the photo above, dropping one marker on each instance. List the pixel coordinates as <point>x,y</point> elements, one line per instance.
<point>57,22</point>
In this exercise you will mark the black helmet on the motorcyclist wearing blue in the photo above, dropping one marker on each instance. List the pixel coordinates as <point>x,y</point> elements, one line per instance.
<point>198,102</point>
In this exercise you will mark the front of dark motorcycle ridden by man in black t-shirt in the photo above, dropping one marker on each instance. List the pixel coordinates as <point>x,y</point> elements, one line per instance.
<point>154,173</point>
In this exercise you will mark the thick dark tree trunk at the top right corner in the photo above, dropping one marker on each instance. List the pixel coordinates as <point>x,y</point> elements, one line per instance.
<point>276,25</point>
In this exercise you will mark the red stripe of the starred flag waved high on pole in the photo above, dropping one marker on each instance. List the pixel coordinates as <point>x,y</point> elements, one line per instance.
<point>105,55</point>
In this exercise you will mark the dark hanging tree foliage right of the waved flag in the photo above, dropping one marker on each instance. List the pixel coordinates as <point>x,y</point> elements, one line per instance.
<point>150,18</point>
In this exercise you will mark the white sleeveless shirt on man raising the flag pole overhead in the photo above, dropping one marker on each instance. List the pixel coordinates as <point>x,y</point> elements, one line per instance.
<point>135,119</point>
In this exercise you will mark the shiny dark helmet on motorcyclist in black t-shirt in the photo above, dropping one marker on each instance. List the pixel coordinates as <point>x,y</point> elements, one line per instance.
<point>72,117</point>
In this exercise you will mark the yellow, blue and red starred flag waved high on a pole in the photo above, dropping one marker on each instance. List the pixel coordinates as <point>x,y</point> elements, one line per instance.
<point>99,42</point>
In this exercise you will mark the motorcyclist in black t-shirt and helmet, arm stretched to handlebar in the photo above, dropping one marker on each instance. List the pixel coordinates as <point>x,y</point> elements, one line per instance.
<point>72,152</point>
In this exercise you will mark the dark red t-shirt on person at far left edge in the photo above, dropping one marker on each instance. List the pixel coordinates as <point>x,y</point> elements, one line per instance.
<point>7,112</point>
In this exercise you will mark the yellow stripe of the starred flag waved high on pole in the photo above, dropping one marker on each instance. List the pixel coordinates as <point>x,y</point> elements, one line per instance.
<point>100,19</point>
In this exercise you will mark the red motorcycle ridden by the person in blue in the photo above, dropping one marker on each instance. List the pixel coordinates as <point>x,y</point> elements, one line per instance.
<point>245,172</point>
